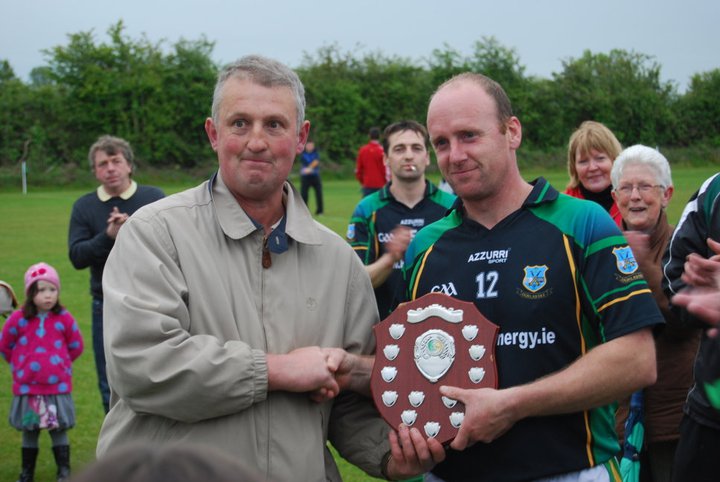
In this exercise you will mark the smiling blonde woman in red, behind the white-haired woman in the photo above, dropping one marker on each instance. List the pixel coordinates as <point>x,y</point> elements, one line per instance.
<point>591,152</point>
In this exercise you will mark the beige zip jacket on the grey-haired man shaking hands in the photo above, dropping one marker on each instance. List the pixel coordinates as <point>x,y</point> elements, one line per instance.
<point>190,314</point>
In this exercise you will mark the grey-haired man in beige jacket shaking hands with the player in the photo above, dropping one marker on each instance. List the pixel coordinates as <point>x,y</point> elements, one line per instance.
<point>225,325</point>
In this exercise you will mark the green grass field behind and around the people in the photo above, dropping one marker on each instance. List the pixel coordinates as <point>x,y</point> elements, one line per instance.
<point>34,228</point>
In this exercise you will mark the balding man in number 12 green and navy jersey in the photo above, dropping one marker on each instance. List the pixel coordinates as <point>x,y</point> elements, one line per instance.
<point>556,275</point>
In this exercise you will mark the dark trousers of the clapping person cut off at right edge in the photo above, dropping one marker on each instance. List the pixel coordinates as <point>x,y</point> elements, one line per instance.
<point>695,457</point>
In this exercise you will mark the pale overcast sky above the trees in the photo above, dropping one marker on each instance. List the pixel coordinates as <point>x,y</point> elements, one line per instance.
<point>682,36</point>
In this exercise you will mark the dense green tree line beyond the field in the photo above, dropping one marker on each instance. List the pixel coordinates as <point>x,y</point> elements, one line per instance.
<point>158,98</point>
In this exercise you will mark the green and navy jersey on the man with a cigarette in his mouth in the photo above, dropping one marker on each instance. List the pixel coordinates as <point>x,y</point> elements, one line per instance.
<point>374,219</point>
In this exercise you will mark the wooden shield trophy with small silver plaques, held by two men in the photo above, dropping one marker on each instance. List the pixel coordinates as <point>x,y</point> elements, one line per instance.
<point>431,341</point>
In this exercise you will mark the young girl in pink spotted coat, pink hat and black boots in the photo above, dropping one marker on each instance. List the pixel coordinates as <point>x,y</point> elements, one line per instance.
<point>40,341</point>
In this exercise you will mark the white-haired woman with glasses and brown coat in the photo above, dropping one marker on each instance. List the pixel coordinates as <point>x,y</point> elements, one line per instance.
<point>642,189</point>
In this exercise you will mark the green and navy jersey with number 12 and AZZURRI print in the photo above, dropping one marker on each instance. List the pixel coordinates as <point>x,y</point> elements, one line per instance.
<point>558,278</point>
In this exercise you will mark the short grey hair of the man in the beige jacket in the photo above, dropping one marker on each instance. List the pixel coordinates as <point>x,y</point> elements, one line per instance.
<point>263,71</point>
